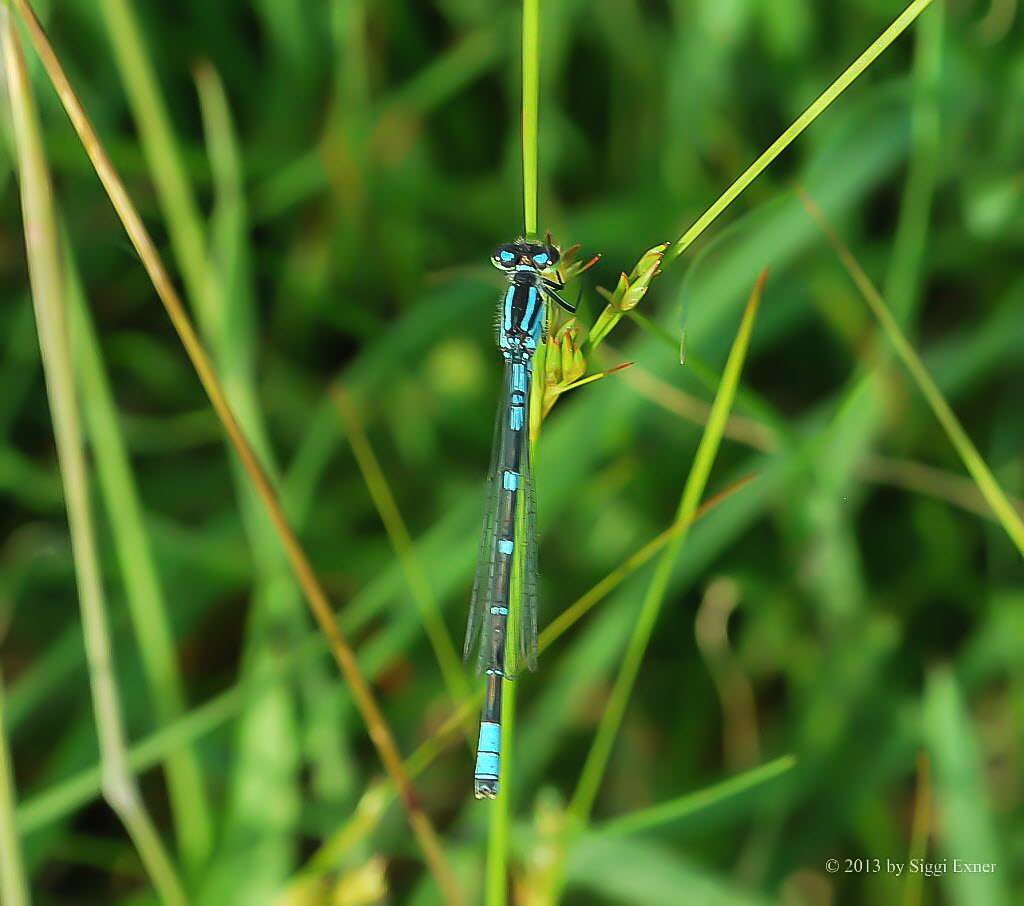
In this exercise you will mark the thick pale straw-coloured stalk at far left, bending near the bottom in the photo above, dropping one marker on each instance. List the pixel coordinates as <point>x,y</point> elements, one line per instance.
<point>46,269</point>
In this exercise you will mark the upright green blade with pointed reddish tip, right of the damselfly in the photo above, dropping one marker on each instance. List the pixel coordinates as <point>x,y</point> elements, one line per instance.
<point>601,752</point>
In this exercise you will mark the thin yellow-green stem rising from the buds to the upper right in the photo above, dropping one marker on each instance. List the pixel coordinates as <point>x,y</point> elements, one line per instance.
<point>852,73</point>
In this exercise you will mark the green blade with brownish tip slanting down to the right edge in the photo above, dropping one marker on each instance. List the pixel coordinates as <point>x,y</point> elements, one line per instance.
<point>995,496</point>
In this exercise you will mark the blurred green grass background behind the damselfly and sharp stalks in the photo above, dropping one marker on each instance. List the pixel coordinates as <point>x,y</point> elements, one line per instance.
<point>855,607</point>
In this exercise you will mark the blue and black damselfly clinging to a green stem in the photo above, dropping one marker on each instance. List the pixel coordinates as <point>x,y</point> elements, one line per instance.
<point>503,611</point>
